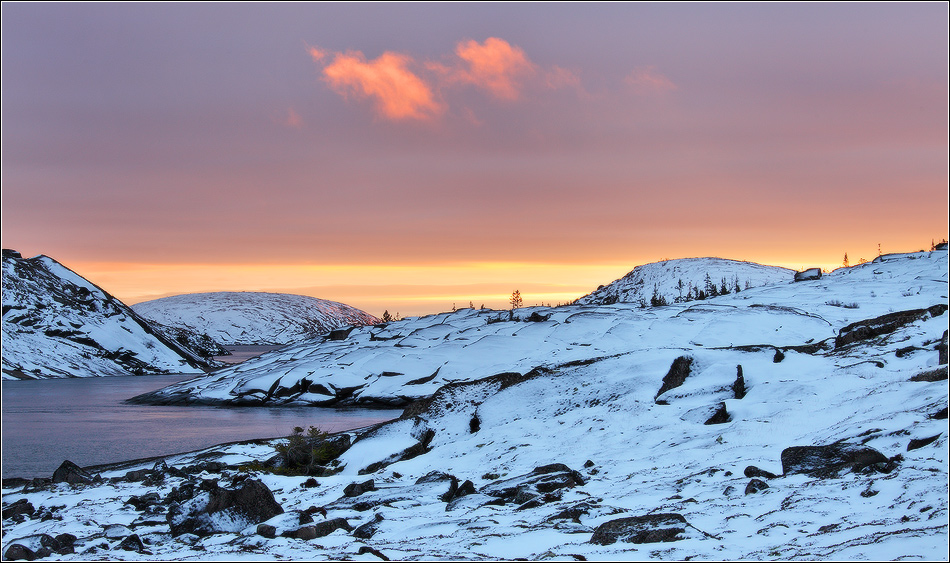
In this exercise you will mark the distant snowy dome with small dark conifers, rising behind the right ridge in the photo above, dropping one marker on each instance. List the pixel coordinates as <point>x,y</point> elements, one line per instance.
<point>686,279</point>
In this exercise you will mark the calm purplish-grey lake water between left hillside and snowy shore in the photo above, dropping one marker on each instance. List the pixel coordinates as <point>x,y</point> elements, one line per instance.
<point>87,422</point>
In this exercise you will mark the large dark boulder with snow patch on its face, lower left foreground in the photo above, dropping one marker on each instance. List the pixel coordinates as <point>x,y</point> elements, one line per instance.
<point>214,509</point>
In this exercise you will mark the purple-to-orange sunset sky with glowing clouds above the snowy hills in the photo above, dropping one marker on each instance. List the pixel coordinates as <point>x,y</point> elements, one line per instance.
<point>416,157</point>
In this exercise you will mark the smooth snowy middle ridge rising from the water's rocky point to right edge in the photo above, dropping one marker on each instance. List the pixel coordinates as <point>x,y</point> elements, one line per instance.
<point>408,360</point>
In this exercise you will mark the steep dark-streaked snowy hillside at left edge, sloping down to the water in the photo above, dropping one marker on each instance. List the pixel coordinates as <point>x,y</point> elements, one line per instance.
<point>58,324</point>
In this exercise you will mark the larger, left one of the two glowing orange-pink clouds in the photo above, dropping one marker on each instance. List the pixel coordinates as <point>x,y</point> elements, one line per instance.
<point>397,92</point>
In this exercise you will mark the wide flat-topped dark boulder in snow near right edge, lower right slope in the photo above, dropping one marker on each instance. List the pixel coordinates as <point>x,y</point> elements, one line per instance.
<point>831,460</point>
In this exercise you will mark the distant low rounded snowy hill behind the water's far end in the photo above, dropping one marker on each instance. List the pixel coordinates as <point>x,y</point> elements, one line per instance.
<point>252,317</point>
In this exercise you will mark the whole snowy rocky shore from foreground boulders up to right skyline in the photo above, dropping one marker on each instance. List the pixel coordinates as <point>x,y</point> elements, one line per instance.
<point>587,432</point>
